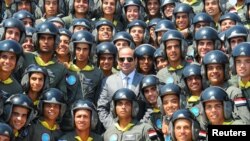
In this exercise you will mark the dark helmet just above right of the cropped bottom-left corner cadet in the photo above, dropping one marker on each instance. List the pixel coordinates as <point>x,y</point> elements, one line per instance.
<point>18,100</point>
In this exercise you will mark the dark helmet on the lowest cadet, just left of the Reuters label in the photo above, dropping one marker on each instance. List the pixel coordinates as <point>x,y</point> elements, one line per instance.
<point>185,114</point>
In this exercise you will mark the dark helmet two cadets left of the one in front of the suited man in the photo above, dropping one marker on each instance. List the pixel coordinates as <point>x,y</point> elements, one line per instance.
<point>52,95</point>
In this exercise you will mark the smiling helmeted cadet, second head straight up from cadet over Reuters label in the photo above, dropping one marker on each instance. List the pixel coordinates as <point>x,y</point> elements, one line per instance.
<point>205,40</point>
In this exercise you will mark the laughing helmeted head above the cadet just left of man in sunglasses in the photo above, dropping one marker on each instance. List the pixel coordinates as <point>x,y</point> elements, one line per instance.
<point>104,31</point>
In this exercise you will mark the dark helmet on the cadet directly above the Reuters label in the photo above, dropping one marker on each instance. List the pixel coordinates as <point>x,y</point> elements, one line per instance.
<point>217,93</point>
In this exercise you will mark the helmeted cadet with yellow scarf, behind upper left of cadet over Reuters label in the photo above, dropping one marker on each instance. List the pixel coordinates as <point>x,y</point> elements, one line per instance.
<point>193,84</point>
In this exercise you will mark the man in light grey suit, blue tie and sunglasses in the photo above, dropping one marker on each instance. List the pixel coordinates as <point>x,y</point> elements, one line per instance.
<point>127,77</point>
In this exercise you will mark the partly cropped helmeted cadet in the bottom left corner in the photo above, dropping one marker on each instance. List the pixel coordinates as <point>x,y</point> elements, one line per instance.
<point>6,132</point>
